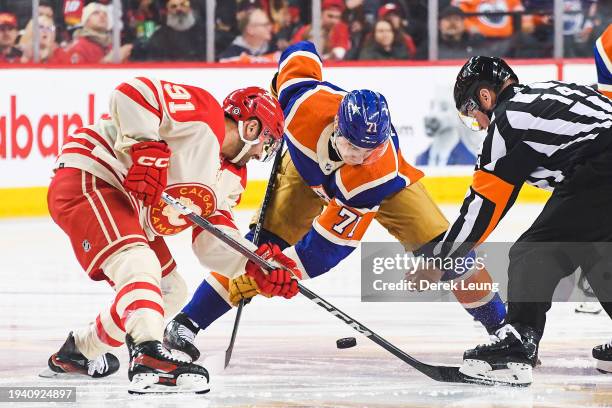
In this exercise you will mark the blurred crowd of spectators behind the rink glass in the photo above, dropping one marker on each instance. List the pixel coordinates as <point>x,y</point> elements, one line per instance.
<point>252,31</point>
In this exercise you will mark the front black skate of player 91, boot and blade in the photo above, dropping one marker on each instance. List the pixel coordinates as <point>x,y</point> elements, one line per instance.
<point>153,369</point>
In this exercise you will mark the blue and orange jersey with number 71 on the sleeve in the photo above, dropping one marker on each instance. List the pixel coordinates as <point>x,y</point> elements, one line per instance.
<point>353,193</point>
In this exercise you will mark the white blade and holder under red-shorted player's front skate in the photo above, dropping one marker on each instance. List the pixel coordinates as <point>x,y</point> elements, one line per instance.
<point>185,384</point>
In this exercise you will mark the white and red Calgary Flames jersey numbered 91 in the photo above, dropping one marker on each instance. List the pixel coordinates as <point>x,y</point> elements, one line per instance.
<point>192,123</point>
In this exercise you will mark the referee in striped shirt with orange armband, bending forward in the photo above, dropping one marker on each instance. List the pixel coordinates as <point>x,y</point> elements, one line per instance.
<point>552,135</point>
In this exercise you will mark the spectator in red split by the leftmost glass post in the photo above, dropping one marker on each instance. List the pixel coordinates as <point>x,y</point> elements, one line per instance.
<point>50,52</point>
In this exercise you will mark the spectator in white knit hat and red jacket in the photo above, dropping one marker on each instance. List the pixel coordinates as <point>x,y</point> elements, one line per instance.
<point>92,43</point>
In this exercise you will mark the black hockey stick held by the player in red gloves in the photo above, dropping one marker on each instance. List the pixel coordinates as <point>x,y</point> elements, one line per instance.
<point>437,372</point>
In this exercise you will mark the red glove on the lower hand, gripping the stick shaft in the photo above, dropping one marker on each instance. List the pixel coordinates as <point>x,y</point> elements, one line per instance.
<point>278,282</point>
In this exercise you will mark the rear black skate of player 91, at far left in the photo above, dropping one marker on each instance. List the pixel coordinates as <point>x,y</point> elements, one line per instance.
<point>68,360</point>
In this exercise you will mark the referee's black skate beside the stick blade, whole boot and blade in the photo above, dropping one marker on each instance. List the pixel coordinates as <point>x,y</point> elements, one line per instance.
<point>507,360</point>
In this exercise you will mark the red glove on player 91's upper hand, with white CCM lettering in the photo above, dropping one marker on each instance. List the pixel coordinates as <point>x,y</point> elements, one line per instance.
<point>148,176</point>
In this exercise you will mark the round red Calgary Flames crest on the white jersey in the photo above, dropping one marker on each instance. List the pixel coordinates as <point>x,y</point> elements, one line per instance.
<point>163,219</point>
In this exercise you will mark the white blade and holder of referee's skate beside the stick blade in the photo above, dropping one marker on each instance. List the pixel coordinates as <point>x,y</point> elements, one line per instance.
<point>481,372</point>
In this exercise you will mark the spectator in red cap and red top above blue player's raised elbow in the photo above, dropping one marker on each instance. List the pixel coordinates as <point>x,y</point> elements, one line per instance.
<point>335,33</point>
